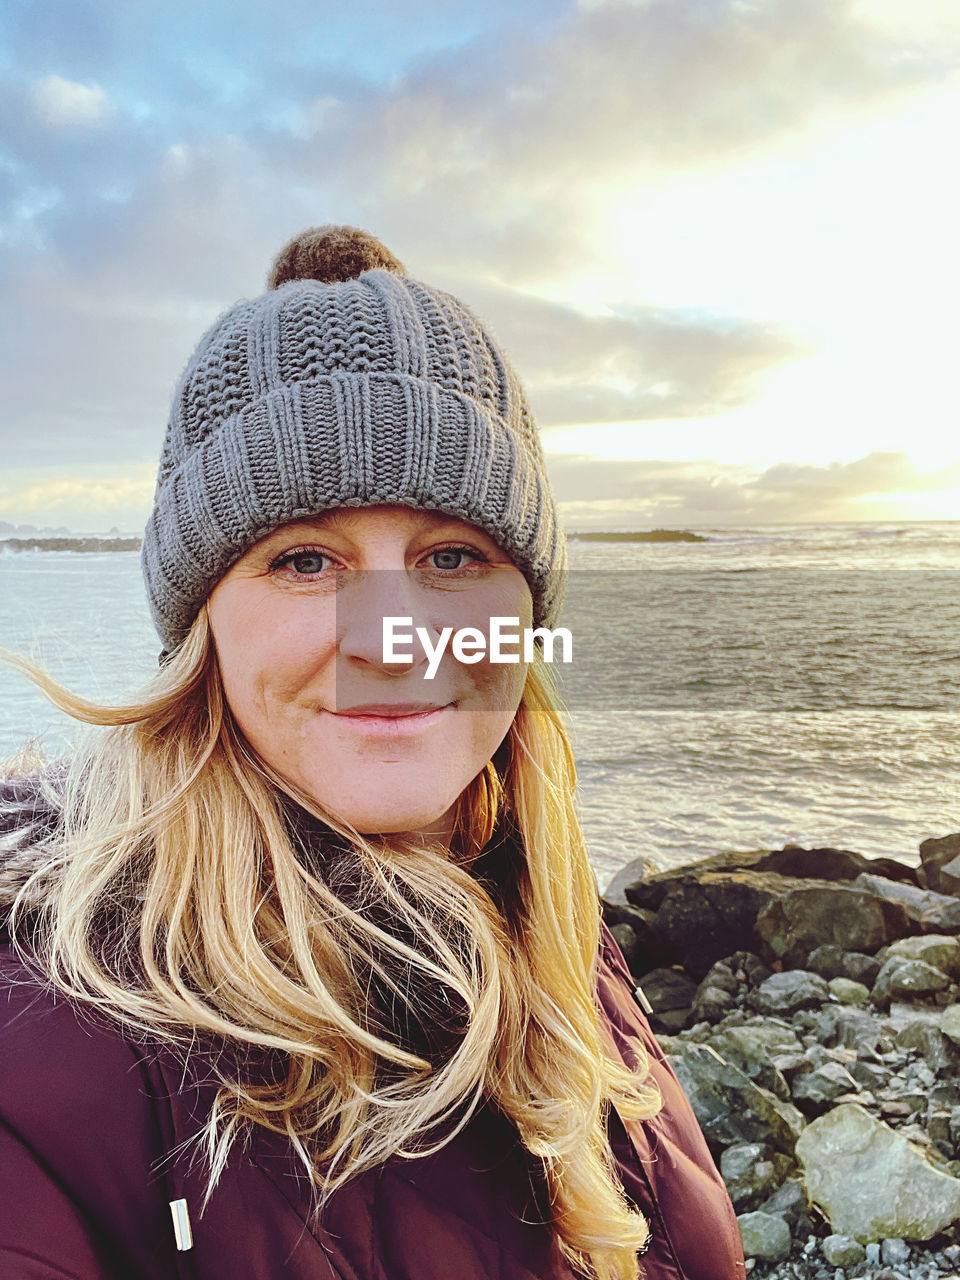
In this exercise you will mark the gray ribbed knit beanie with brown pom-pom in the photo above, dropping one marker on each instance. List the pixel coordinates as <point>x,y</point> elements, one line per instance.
<point>349,383</point>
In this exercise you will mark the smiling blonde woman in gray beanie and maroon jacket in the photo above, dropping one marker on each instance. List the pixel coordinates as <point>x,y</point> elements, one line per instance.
<point>307,973</point>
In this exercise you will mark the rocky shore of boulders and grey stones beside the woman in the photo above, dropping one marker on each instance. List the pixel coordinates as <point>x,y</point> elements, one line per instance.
<point>810,1003</point>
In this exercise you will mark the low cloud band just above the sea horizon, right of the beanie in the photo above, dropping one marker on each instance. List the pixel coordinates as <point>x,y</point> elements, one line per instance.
<point>627,495</point>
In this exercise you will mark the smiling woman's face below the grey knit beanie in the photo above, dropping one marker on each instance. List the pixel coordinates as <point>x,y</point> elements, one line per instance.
<point>299,632</point>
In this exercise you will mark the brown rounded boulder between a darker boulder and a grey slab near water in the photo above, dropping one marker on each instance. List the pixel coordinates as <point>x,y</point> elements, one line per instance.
<point>816,912</point>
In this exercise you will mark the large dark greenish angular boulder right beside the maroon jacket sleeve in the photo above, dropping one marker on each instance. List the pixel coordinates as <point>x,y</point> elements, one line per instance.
<point>729,1105</point>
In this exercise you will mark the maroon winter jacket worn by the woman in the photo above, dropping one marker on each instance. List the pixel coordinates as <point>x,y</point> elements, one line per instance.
<point>92,1124</point>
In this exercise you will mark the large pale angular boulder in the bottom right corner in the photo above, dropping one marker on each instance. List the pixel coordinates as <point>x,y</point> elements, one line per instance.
<point>871,1182</point>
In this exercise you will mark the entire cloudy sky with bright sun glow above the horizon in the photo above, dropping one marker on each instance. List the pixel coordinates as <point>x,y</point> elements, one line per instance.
<point>717,237</point>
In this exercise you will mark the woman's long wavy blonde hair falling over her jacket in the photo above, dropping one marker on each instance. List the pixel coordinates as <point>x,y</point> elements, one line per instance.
<point>181,903</point>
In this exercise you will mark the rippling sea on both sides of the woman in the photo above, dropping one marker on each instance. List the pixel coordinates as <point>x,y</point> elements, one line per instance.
<point>769,685</point>
